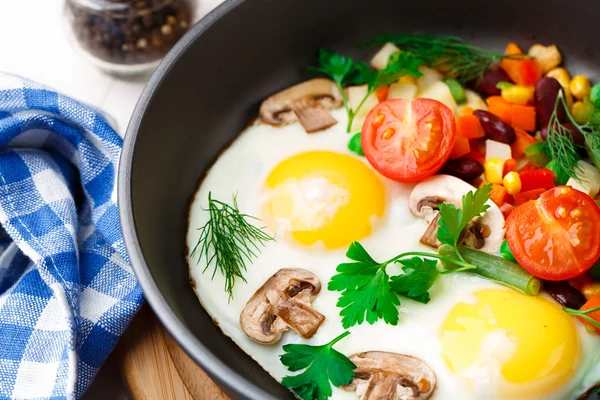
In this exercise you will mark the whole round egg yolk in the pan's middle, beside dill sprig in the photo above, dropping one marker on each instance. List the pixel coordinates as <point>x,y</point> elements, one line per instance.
<point>323,196</point>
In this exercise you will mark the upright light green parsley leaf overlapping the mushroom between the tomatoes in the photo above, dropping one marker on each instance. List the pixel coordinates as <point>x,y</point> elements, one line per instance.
<point>452,221</point>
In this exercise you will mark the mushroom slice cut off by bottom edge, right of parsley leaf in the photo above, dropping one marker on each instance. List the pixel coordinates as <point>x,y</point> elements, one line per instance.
<point>391,376</point>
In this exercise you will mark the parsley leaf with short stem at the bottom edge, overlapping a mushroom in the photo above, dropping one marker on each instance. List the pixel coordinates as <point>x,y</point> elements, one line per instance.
<point>321,364</point>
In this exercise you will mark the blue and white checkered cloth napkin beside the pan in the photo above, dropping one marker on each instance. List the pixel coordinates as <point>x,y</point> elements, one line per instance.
<point>67,291</point>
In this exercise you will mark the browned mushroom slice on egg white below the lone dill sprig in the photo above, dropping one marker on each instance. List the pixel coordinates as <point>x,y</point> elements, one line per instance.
<point>281,303</point>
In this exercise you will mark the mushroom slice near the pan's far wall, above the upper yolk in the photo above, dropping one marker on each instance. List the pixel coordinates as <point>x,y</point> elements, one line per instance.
<point>308,102</point>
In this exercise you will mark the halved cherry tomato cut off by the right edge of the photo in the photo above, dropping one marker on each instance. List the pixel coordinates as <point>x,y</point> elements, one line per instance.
<point>557,236</point>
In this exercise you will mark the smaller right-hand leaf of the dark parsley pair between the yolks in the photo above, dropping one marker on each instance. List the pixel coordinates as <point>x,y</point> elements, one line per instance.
<point>419,275</point>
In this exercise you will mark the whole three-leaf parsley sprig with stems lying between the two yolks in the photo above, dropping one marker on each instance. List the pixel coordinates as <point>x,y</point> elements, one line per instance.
<point>369,294</point>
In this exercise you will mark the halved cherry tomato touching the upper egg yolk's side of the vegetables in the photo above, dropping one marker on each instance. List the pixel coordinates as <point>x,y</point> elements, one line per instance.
<point>407,141</point>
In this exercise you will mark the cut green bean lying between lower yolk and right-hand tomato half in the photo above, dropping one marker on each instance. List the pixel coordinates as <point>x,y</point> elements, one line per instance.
<point>495,268</point>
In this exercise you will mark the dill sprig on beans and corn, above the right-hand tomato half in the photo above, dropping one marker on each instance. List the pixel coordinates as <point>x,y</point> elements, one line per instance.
<point>559,142</point>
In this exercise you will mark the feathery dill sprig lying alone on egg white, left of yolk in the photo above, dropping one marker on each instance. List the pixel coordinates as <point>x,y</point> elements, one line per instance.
<point>228,240</point>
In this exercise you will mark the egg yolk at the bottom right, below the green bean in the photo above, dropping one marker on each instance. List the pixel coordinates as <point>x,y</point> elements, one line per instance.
<point>510,345</point>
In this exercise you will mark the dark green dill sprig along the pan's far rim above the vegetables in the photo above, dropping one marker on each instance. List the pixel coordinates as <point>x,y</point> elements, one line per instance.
<point>449,54</point>
